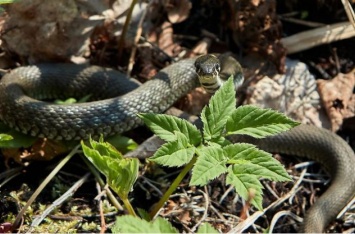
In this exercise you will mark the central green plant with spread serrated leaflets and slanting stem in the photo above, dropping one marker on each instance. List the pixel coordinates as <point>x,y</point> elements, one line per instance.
<point>208,153</point>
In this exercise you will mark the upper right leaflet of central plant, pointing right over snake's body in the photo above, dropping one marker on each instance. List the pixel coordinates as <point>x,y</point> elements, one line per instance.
<point>257,122</point>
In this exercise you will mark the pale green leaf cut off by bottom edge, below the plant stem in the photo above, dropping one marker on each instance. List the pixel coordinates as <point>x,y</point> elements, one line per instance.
<point>131,224</point>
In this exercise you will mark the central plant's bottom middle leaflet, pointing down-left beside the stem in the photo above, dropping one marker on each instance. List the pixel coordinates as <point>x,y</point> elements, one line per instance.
<point>209,165</point>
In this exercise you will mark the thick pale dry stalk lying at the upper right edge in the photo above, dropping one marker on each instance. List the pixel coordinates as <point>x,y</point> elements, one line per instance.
<point>308,39</point>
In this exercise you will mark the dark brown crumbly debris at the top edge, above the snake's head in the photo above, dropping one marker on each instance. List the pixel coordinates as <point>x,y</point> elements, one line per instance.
<point>258,30</point>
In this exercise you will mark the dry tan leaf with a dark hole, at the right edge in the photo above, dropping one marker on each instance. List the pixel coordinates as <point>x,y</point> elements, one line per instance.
<point>335,95</point>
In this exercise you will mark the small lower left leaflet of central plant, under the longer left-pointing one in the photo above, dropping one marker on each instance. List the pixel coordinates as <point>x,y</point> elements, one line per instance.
<point>174,153</point>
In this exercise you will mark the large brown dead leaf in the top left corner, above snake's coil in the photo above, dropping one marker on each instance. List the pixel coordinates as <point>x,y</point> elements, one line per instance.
<point>46,30</point>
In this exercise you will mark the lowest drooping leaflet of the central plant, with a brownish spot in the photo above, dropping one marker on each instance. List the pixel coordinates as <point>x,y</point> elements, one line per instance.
<point>246,185</point>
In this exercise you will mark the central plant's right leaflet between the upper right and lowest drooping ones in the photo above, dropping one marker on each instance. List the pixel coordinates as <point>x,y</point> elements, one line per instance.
<point>256,162</point>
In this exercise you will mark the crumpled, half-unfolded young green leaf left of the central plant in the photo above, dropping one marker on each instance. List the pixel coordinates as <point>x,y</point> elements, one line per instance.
<point>121,173</point>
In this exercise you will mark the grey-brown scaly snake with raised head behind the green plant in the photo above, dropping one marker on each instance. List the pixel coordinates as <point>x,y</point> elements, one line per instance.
<point>25,94</point>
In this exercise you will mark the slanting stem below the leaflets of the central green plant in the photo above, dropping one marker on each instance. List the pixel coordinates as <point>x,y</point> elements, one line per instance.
<point>172,188</point>
